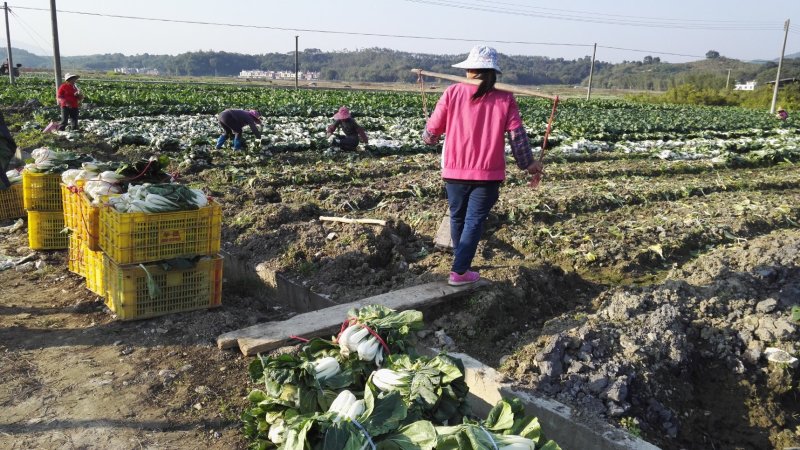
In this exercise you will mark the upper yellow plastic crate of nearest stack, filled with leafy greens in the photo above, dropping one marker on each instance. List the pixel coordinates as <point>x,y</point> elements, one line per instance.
<point>129,238</point>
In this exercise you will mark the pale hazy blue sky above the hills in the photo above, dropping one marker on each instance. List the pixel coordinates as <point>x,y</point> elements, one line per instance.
<point>736,28</point>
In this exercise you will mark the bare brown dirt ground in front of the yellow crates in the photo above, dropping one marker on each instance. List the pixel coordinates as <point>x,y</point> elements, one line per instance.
<point>73,377</point>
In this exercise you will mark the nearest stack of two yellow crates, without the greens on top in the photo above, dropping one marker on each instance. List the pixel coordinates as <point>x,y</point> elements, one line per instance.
<point>161,263</point>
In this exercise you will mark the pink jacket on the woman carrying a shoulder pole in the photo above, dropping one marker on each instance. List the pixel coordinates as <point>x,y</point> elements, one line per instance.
<point>475,141</point>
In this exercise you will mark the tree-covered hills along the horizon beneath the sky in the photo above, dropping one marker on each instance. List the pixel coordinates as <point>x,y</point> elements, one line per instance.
<point>385,65</point>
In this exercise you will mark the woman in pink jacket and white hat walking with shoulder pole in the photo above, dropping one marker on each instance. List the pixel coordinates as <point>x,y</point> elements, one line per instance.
<point>475,120</point>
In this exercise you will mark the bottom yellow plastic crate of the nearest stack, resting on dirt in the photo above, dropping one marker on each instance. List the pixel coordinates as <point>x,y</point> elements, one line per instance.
<point>178,289</point>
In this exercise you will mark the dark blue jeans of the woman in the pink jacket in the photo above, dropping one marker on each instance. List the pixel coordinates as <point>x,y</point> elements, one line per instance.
<point>469,207</point>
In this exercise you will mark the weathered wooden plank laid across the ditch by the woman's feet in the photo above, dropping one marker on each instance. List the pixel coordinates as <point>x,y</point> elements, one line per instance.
<point>271,335</point>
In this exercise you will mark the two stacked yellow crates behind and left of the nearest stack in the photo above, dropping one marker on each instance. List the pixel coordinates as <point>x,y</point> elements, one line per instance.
<point>41,193</point>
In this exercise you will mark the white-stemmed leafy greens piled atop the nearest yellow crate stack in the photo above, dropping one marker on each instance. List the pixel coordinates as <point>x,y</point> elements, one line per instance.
<point>159,198</point>
